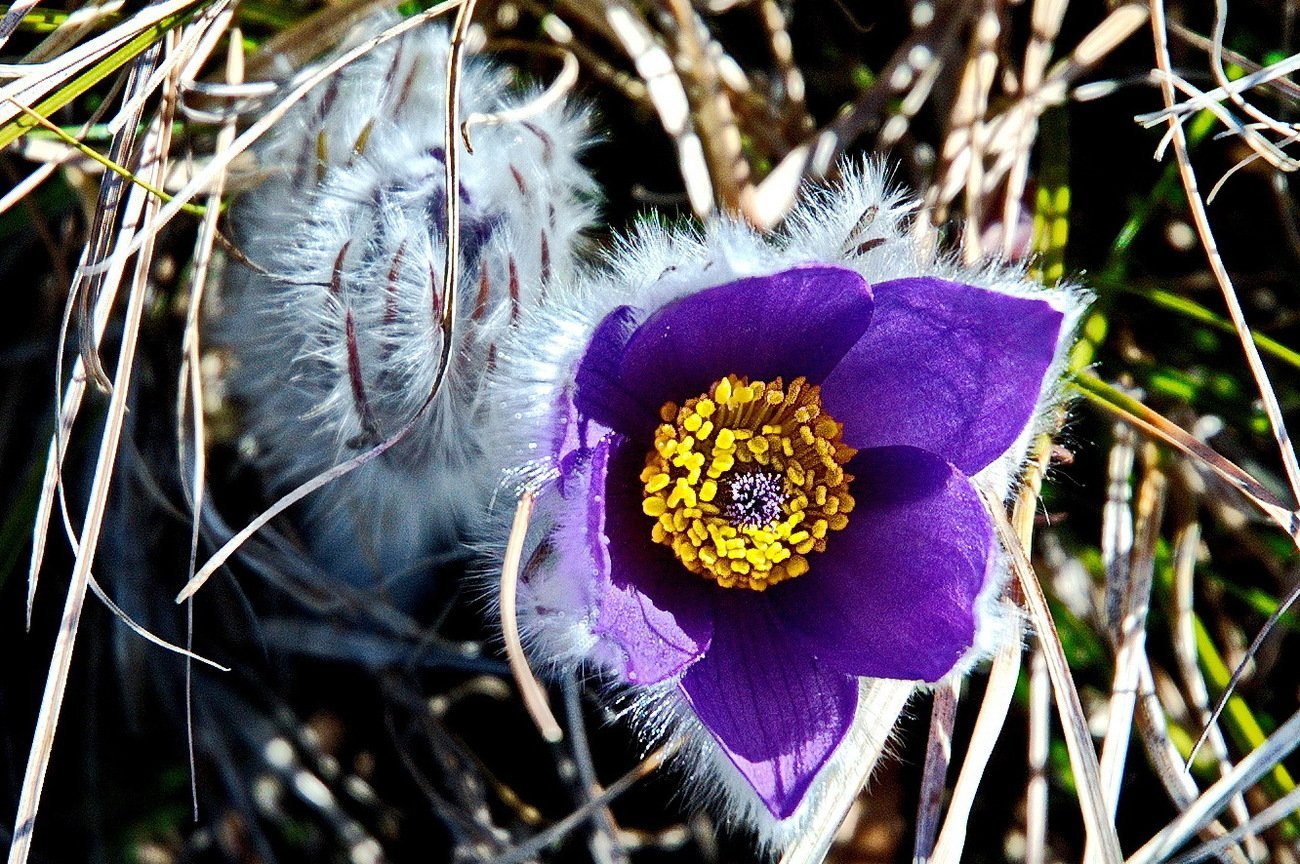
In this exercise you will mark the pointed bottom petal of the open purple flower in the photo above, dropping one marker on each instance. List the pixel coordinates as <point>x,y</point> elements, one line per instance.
<point>777,713</point>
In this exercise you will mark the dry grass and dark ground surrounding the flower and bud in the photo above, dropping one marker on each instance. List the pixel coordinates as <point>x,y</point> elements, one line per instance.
<point>348,731</point>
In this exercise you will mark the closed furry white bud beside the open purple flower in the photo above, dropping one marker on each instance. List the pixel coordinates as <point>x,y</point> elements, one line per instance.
<point>336,331</point>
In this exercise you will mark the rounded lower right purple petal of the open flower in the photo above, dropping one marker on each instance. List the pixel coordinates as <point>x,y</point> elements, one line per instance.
<point>894,596</point>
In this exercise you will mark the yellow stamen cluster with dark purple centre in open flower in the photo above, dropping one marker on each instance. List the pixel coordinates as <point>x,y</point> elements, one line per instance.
<point>747,480</point>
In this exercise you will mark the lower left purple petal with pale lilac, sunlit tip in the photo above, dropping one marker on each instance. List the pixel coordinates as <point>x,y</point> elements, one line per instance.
<point>653,614</point>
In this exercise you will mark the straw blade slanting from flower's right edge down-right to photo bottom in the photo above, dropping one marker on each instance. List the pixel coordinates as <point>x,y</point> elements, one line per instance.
<point>1084,758</point>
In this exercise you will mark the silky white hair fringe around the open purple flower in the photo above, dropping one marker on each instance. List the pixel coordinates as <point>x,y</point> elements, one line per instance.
<point>861,224</point>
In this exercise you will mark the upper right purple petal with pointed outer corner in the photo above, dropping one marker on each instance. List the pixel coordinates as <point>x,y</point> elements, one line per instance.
<point>946,367</point>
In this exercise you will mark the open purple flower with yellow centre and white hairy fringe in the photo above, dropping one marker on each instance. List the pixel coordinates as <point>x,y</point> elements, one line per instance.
<point>759,493</point>
